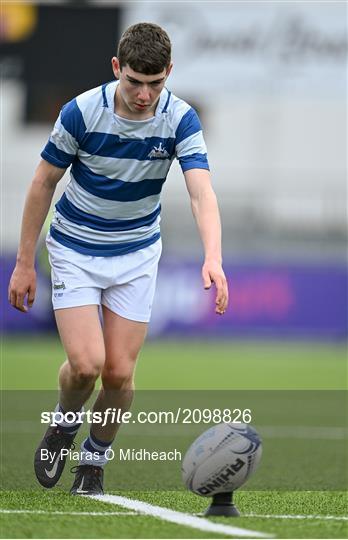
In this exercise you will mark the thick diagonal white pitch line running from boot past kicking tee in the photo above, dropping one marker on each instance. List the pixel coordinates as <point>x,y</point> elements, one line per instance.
<point>186,520</point>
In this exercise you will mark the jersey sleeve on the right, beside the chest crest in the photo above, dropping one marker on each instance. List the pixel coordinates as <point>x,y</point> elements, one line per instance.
<point>190,147</point>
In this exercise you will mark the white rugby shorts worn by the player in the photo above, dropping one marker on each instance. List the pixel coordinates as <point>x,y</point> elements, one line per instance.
<point>124,283</point>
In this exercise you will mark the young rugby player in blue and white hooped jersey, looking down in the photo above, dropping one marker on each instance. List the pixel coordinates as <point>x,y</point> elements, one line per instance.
<point>104,242</point>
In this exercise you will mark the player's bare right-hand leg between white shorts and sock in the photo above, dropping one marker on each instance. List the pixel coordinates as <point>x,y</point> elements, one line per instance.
<point>123,340</point>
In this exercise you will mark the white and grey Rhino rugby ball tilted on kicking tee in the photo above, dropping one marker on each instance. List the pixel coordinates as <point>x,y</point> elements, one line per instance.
<point>221,459</point>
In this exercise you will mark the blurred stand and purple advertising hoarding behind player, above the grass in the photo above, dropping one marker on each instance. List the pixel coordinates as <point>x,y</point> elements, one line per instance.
<point>269,82</point>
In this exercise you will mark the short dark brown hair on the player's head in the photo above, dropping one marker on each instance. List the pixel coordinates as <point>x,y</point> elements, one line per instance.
<point>146,48</point>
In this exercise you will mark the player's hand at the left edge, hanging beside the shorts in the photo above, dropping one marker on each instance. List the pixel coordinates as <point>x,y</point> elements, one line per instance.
<point>22,288</point>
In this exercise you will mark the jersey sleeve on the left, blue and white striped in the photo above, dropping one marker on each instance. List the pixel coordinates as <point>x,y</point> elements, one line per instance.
<point>66,136</point>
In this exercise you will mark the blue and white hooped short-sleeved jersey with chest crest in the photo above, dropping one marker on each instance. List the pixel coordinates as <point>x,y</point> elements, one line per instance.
<point>111,205</point>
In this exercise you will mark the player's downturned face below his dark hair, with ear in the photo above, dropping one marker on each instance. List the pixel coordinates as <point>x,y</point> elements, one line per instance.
<point>139,93</point>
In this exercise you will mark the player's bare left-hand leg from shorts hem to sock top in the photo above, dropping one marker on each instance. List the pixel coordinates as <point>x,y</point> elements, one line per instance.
<point>82,337</point>
